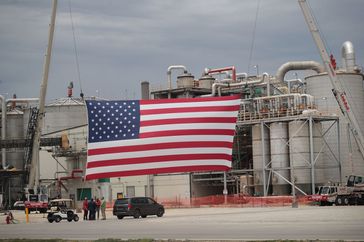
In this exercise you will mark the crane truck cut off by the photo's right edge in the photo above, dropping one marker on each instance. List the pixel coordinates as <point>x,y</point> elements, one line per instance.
<point>352,193</point>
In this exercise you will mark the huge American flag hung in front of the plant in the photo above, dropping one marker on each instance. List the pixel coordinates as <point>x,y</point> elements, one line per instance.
<point>139,137</point>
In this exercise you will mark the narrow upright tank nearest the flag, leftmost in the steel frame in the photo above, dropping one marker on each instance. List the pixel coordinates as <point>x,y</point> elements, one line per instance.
<point>259,157</point>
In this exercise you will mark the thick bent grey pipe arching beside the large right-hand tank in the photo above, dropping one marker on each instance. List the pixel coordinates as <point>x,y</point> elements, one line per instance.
<point>298,65</point>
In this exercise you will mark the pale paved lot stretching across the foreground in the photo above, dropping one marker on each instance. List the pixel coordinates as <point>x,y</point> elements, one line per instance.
<point>303,223</point>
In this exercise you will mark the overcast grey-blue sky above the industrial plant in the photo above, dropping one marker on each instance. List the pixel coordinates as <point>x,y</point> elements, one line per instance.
<point>122,42</point>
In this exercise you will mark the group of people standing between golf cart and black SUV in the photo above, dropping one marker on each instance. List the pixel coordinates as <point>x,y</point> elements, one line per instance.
<point>92,208</point>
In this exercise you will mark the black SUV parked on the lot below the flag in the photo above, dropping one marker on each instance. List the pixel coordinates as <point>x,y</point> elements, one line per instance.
<point>136,207</point>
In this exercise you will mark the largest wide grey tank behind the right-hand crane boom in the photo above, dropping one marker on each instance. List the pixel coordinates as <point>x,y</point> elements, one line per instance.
<point>320,87</point>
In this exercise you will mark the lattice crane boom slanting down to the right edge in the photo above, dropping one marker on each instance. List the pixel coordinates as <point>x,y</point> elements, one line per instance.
<point>339,94</point>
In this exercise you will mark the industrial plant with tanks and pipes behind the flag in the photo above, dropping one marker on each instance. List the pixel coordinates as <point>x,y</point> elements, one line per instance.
<point>289,133</point>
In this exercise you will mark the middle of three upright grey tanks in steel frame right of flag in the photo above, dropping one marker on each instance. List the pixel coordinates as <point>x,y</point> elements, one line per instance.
<point>279,151</point>
